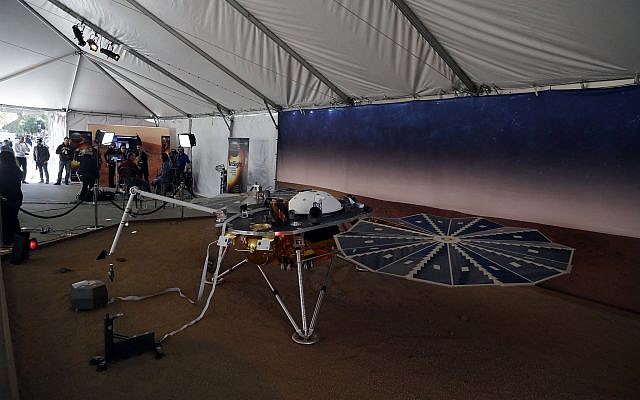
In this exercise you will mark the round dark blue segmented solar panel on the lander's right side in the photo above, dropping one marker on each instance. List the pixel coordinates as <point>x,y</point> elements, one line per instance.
<point>454,251</point>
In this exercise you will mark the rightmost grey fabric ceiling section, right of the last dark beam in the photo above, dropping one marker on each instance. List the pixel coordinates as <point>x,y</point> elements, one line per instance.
<point>518,43</point>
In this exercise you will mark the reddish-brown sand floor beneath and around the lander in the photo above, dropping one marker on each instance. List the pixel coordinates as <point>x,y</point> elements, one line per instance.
<point>381,337</point>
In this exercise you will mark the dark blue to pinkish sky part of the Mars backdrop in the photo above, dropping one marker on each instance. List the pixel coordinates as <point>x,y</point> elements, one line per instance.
<point>561,158</point>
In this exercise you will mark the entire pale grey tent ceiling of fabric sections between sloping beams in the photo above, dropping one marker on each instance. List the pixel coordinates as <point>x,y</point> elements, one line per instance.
<point>366,49</point>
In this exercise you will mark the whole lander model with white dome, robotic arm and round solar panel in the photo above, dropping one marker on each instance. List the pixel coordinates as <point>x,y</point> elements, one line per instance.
<point>447,251</point>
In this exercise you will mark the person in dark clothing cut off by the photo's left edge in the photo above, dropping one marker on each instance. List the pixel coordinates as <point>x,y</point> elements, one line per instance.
<point>10,195</point>
